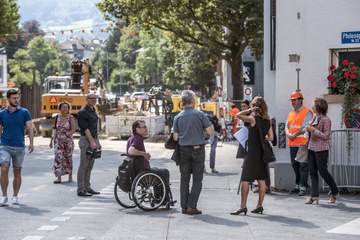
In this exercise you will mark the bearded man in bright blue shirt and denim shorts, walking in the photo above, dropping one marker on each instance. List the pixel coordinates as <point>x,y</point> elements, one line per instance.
<point>13,120</point>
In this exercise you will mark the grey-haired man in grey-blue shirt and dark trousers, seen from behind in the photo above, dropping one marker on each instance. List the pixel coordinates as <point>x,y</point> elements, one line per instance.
<point>188,127</point>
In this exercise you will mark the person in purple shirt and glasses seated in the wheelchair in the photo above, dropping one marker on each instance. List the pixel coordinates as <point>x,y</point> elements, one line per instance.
<point>135,150</point>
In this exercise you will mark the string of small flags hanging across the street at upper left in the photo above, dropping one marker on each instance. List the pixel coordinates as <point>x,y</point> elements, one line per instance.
<point>15,36</point>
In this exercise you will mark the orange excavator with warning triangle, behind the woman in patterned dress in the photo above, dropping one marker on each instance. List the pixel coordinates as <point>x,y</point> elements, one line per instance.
<point>72,89</point>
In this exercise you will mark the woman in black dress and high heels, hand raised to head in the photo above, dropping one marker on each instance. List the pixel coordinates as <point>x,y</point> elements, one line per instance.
<point>254,167</point>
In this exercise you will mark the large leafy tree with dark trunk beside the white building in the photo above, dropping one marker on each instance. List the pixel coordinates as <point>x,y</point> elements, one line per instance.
<point>224,28</point>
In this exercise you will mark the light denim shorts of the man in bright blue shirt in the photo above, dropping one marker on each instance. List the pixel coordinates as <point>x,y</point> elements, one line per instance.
<point>16,154</point>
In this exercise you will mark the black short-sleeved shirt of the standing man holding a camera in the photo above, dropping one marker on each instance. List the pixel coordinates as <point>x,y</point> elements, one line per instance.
<point>88,119</point>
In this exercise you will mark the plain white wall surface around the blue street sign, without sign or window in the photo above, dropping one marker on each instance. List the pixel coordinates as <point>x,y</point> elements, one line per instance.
<point>312,36</point>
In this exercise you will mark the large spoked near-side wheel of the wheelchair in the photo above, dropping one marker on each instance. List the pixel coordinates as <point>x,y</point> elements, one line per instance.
<point>148,190</point>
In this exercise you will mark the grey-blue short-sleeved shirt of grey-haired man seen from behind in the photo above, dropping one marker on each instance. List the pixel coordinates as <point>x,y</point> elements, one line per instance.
<point>190,125</point>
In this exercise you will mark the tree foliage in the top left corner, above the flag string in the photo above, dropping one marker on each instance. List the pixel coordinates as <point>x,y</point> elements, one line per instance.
<point>10,17</point>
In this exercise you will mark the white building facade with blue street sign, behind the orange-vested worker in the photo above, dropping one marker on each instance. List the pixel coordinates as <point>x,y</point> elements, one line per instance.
<point>302,38</point>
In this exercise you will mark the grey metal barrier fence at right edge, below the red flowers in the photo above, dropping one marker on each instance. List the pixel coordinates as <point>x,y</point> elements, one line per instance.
<point>344,158</point>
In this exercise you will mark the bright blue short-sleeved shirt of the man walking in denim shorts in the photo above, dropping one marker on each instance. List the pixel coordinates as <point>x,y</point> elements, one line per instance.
<point>13,124</point>
